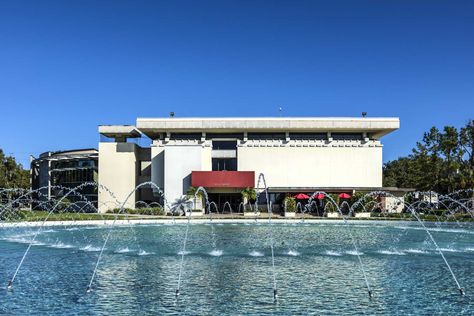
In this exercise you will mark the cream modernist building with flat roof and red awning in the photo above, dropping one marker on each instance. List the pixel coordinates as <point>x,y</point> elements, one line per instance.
<point>225,155</point>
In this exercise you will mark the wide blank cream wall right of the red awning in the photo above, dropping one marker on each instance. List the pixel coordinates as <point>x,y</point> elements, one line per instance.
<point>314,166</point>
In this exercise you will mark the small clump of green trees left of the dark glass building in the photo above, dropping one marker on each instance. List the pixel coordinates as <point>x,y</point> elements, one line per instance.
<point>12,174</point>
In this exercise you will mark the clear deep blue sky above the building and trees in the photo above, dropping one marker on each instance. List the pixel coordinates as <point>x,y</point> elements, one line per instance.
<point>68,66</point>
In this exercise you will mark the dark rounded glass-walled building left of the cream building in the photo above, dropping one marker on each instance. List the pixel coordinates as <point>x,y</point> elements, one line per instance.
<point>54,173</point>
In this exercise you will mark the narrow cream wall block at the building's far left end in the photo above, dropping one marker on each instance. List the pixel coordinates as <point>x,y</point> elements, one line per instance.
<point>117,172</point>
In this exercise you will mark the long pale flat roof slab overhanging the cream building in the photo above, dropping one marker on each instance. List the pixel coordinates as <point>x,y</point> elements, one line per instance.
<point>377,126</point>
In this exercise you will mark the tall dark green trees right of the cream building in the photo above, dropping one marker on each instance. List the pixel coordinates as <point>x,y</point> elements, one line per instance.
<point>442,161</point>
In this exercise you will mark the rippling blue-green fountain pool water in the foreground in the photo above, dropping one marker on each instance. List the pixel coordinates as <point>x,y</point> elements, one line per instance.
<point>227,269</point>
